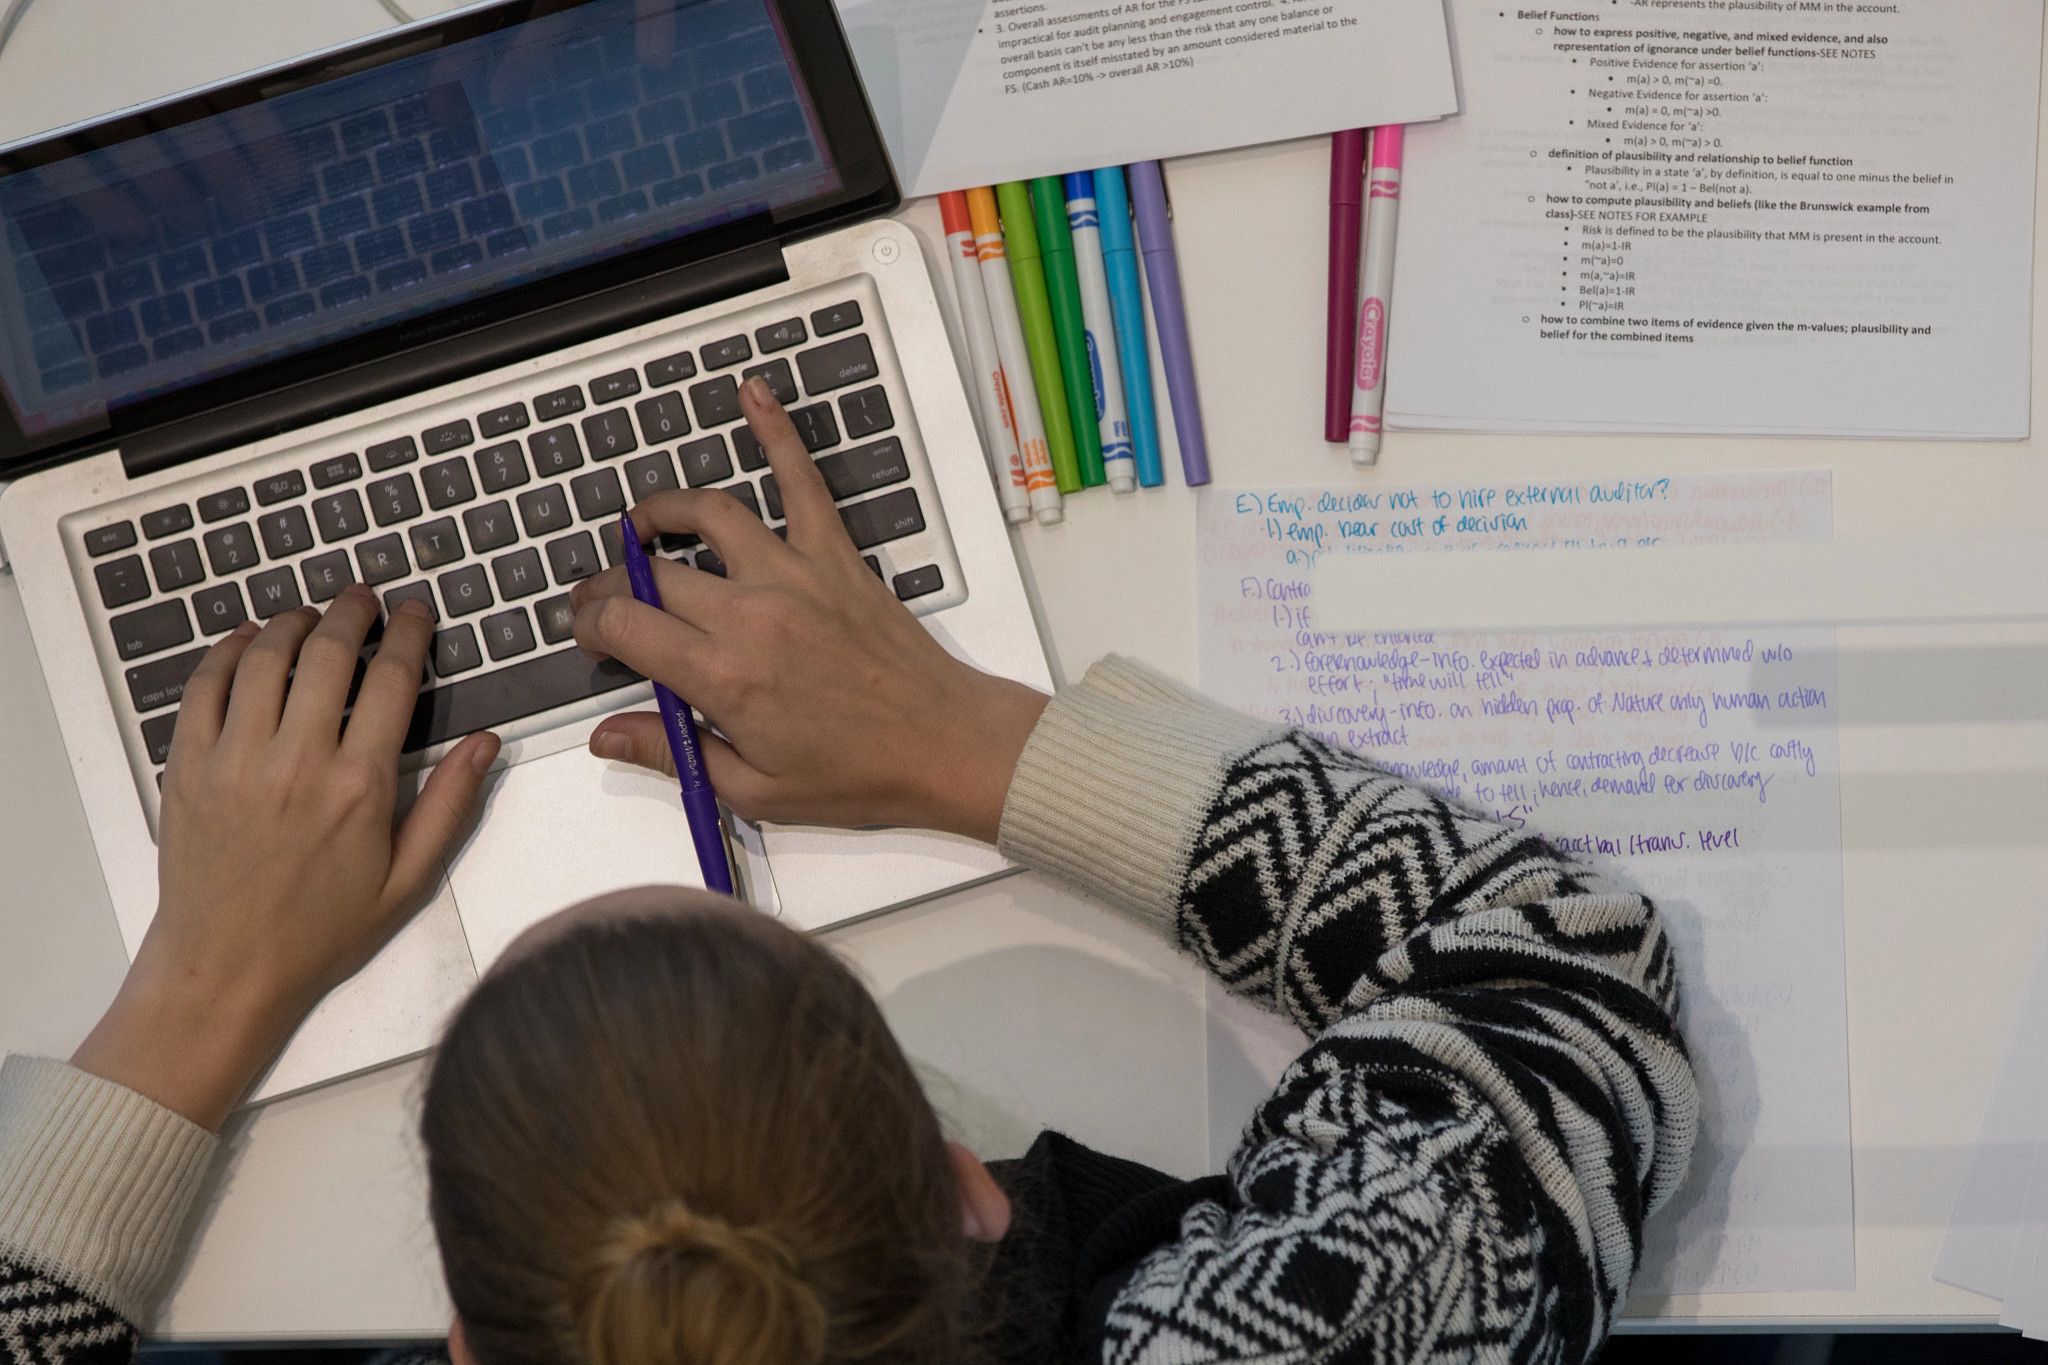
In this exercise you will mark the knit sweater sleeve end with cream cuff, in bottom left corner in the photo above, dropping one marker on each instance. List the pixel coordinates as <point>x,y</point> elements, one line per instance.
<point>95,1188</point>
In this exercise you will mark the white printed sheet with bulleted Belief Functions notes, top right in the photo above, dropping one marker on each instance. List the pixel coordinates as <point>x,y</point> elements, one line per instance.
<point>1752,220</point>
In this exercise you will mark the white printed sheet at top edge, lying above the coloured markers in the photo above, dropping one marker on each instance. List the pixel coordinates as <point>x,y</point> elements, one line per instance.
<point>984,91</point>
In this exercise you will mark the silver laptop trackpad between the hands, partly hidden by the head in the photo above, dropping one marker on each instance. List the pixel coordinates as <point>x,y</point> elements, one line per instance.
<point>564,830</point>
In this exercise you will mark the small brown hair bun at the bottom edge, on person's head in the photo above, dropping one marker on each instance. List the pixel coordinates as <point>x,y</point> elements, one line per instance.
<point>683,1288</point>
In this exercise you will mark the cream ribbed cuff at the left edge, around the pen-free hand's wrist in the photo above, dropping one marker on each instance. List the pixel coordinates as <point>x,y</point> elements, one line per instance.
<point>95,1182</point>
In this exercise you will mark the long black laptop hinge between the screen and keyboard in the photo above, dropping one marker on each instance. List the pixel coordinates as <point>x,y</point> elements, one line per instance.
<point>454,357</point>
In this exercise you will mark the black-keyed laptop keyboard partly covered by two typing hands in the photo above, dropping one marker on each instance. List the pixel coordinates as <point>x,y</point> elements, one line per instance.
<point>490,511</point>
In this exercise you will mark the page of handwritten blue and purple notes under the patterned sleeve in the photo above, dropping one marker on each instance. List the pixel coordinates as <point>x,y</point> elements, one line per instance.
<point>1699,764</point>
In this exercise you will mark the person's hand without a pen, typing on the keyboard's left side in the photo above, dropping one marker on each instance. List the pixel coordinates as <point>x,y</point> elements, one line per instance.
<point>280,873</point>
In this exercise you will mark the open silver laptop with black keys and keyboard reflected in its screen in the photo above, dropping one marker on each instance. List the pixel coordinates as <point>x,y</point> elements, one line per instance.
<point>427,312</point>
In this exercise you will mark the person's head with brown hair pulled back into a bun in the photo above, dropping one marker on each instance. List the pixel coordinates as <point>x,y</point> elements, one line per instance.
<point>669,1131</point>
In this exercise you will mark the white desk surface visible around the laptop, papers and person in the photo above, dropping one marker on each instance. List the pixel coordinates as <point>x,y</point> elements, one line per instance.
<point>1029,1006</point>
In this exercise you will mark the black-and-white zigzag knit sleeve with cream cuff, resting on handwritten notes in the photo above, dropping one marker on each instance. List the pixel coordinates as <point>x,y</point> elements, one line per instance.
<point>1494,1096</point>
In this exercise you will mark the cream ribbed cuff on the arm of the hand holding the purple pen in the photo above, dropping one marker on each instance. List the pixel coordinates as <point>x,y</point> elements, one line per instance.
<point>1115,783</point>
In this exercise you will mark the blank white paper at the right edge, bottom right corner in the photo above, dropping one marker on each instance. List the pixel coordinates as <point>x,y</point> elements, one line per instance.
<point>1998,1235</point>
